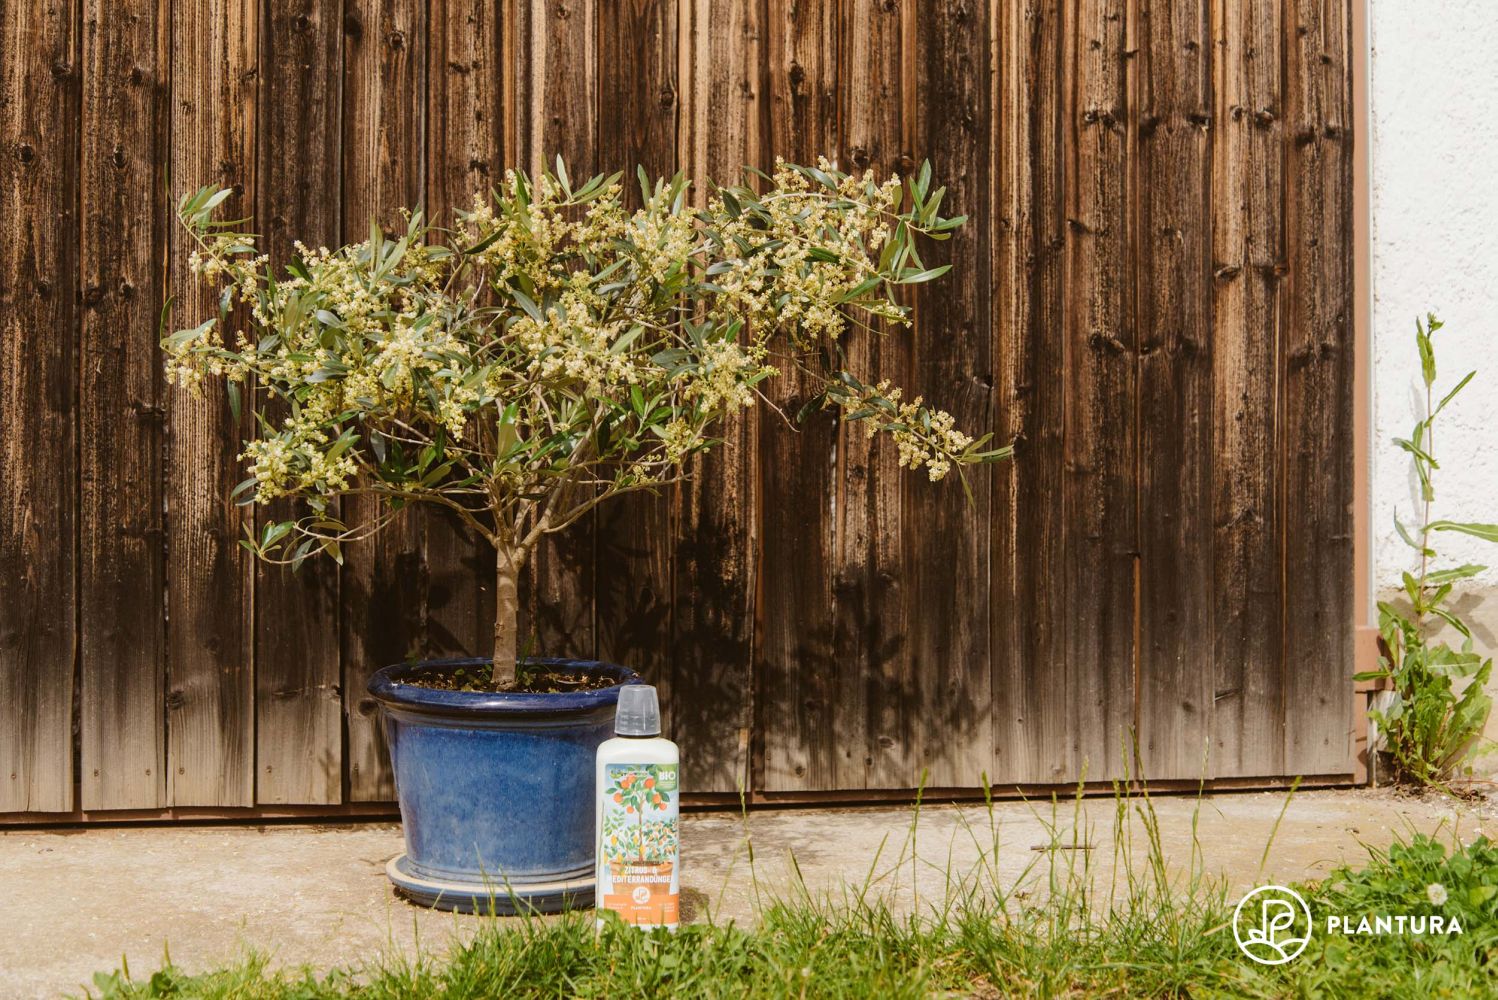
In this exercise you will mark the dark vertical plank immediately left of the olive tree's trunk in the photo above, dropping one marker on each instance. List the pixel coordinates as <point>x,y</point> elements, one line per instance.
<point>465,124</point>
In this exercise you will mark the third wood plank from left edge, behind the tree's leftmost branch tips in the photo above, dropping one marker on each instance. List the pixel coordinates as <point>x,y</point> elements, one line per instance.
<point>210,652</point>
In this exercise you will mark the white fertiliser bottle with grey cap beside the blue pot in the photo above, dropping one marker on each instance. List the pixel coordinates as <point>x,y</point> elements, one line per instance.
<point>639,830</point>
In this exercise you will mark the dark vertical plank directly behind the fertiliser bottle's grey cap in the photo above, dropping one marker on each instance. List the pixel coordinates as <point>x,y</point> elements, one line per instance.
<point>637,125</point>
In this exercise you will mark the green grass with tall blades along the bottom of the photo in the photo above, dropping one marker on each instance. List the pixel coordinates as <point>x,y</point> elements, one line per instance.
<point>1057,932</point>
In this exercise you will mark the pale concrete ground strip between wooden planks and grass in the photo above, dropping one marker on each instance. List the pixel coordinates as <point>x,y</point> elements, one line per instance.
<point>77,902</point>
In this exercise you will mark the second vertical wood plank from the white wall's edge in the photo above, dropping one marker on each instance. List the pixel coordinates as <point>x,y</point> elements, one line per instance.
<point>1249,272</point>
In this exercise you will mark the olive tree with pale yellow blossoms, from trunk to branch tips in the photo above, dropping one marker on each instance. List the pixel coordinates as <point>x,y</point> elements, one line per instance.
<point>551,351</point>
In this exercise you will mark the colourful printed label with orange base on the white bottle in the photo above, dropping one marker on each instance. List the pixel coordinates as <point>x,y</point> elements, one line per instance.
<point>639,857</point>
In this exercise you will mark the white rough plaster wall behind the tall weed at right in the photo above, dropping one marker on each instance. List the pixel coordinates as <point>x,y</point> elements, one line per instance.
<point>1434,186</point>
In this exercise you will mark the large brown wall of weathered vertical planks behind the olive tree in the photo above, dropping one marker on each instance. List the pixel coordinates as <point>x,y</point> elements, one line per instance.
<point>1153,299</point>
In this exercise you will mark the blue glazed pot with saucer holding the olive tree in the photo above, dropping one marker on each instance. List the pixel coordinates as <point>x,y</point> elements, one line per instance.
<point>495,790</point>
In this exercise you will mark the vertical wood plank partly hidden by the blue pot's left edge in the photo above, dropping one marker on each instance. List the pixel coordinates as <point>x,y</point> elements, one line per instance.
<point>384,580</point>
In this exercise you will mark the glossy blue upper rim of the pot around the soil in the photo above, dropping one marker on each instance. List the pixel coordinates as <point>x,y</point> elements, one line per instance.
<point>387,686</point>
